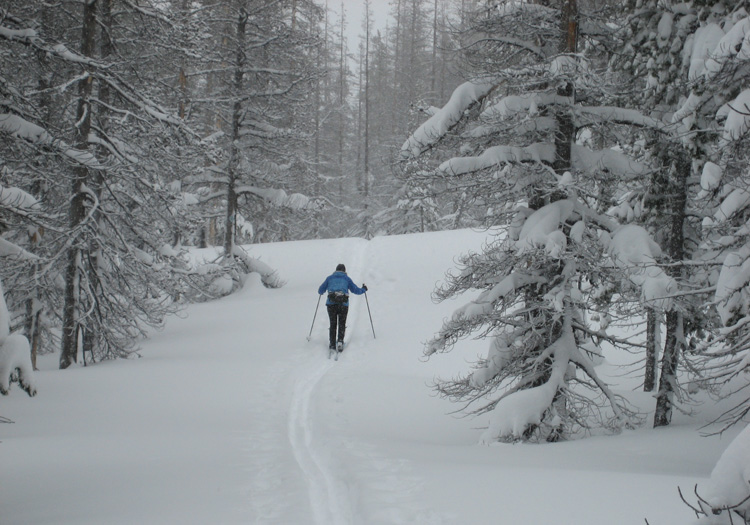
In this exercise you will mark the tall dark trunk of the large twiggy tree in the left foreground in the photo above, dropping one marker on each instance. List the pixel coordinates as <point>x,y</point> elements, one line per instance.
<point>69,350</point>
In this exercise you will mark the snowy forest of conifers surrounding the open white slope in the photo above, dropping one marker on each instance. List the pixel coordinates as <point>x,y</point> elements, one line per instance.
<point>607,141</point>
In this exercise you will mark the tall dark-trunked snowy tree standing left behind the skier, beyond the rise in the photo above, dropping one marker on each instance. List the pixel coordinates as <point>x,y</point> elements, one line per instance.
<point>259,65</point>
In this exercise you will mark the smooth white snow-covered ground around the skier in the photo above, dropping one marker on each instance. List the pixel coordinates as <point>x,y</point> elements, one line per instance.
<point>232,416</point>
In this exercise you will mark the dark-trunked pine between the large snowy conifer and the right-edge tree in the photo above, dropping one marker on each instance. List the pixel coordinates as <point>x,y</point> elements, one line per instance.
<point>669,54</point>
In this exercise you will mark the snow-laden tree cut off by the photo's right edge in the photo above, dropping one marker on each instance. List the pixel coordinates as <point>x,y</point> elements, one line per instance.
<point>720,96</point>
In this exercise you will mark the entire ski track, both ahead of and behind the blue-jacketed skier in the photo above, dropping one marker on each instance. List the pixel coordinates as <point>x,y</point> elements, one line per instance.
<point>329,498</point>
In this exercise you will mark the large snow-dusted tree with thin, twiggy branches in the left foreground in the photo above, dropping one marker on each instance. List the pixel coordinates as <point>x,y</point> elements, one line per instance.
<point>105,225</point>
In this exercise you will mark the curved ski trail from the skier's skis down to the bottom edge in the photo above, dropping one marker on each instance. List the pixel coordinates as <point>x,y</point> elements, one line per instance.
<point>328,499</point>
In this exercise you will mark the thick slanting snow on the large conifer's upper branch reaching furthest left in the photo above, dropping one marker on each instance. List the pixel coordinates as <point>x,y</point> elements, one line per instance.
<point>429,133</point>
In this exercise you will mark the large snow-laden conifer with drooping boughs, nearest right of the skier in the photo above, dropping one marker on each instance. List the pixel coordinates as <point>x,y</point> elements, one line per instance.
<point>534,132</point>
